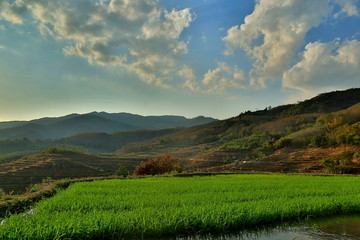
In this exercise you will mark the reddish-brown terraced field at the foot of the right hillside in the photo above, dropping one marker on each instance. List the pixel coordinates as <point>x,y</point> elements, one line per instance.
<point>285,160</point>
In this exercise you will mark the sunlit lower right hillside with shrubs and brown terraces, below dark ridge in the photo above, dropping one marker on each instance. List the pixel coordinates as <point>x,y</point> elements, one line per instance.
<point>292,147</point>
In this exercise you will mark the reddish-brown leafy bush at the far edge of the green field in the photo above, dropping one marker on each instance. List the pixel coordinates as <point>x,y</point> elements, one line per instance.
<point>159,165</point>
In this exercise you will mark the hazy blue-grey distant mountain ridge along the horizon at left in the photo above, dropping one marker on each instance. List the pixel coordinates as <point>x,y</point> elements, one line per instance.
<point>65,126</point>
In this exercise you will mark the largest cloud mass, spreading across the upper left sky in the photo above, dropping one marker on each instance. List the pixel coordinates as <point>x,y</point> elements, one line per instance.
<point>137,34</point>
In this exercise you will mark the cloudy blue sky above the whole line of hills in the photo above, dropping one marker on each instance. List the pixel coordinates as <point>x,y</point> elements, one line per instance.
<point>215,58</point>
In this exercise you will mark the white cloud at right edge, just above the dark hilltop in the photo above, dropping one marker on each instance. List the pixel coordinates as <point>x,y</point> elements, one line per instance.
<point>325,66</point>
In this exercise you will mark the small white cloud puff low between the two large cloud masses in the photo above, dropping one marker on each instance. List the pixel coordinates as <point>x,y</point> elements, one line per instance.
<point>223,77</point>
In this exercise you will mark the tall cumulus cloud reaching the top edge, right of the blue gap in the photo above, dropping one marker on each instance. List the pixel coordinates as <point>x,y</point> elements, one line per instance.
<point>276,30</point>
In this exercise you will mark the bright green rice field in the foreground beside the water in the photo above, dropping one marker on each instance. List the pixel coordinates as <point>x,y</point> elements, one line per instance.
<point>153,207</point>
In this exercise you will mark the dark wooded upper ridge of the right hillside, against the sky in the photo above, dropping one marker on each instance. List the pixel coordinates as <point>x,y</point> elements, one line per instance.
<point>257,126</point>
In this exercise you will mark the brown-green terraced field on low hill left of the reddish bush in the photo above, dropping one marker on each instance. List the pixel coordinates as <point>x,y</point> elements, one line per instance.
<point>17,175</point>
